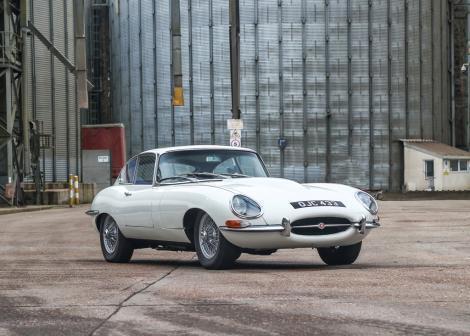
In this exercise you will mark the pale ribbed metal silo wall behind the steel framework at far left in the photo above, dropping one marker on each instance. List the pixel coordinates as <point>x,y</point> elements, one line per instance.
<point>52,92</point>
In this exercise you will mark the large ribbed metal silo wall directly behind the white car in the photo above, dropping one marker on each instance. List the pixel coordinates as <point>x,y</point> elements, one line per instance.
<point>341,80</point>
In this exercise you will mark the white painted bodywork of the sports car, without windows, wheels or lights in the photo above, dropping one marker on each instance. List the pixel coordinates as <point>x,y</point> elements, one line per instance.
<point>157,212</point>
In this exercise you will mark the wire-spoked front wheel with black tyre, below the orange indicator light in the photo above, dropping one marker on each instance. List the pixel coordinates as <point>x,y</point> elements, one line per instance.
<point>213,250</point>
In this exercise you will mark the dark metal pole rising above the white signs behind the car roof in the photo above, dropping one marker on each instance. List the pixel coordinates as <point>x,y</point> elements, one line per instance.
<point>235,56</point>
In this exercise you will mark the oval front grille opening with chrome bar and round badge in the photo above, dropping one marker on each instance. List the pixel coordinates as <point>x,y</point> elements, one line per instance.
<point>310,226</point>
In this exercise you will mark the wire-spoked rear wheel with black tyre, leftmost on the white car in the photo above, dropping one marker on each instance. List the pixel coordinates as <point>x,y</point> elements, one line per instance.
<point>115,247</point>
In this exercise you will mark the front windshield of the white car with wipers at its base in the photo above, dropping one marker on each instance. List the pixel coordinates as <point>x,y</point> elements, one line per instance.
<point>209,164</point>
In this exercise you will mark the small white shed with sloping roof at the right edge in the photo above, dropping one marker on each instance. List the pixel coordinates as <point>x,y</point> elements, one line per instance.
<point>431,165</point>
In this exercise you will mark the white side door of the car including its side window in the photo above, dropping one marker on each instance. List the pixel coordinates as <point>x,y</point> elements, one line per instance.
<point>137,195</point>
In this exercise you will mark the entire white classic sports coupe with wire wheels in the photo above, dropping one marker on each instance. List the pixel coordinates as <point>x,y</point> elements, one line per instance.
<point>220,202</point>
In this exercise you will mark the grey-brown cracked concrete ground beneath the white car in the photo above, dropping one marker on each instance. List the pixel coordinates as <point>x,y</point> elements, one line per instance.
<point>413,277</point>
